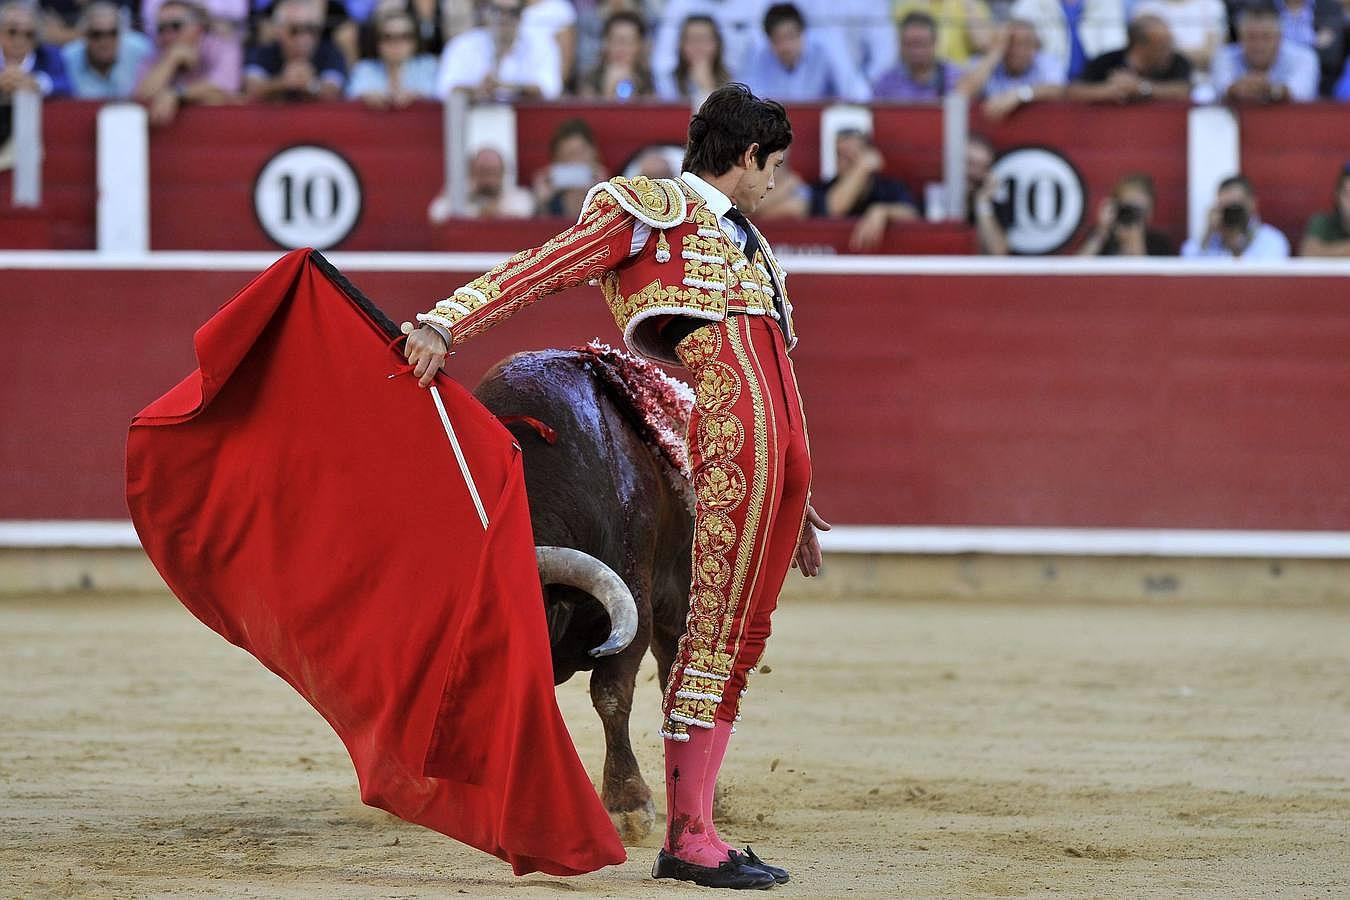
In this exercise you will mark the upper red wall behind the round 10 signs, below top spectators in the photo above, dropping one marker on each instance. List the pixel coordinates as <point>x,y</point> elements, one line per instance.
<point>203,167</point>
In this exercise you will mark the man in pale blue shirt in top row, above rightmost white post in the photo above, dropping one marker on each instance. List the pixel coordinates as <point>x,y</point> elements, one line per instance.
<point>1263,67</point>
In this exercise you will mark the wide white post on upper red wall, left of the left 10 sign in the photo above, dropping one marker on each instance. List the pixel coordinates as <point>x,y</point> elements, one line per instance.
<point>124,180</point>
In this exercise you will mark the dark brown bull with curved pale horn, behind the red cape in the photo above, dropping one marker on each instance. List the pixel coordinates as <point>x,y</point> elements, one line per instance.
<point>604,500</point>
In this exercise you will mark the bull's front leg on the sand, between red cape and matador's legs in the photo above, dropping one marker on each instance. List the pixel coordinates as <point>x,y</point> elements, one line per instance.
<point>624,793</point>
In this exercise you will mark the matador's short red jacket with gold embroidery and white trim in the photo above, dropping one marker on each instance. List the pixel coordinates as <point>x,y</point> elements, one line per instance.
<point>688,268</point>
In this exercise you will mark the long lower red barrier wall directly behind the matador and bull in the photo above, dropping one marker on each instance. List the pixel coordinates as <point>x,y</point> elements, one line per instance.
<point>944,400</point>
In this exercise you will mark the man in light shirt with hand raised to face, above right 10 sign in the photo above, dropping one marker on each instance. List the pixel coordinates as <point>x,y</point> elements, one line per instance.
<point>1015,72</point>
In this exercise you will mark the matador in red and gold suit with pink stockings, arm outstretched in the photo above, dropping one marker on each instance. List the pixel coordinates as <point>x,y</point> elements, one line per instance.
<point>693,283</point>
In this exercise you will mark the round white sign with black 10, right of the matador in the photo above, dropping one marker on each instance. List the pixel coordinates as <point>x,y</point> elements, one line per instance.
<point>1046,195</point>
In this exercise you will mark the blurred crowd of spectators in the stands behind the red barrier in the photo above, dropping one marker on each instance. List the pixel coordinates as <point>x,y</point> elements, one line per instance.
<point>1002,55</point>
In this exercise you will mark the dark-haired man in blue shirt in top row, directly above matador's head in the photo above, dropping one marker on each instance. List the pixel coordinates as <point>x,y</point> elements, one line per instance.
<point>799,67</point>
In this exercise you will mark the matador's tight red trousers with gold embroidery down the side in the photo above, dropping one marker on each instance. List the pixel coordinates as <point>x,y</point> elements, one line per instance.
<point>753,474</point>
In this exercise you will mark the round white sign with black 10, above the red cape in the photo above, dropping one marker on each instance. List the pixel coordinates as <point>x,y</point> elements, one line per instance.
<point>307,196</point>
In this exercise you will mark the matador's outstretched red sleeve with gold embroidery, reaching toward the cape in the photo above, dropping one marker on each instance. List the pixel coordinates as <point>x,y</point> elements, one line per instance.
<point>599,242</point>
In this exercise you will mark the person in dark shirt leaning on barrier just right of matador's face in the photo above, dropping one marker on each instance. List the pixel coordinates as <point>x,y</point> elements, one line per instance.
<point>861,190</point>
